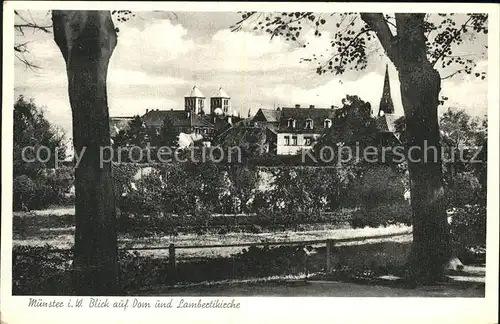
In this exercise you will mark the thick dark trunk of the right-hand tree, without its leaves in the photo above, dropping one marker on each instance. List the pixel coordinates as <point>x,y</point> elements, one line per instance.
<point>420,87</point>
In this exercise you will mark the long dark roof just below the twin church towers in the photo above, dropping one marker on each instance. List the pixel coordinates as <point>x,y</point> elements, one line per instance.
<point>180,118</point>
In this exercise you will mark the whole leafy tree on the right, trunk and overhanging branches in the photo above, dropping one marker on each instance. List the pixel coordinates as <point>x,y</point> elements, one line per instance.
<point>406,40</point>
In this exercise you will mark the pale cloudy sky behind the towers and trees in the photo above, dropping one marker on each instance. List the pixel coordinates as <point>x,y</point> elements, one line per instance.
<point>160,56</point>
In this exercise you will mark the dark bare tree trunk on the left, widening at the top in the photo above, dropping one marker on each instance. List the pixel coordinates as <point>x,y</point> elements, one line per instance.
<point>86,40</point>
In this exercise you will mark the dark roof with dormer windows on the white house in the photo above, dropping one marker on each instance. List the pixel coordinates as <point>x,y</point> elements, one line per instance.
<point>301,115</point>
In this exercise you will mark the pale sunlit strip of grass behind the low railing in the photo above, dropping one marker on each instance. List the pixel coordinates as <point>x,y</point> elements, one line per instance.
<point>62,237</point>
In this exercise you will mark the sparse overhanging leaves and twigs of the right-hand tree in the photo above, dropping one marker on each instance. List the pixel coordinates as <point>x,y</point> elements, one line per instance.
<point>354,35</point>
